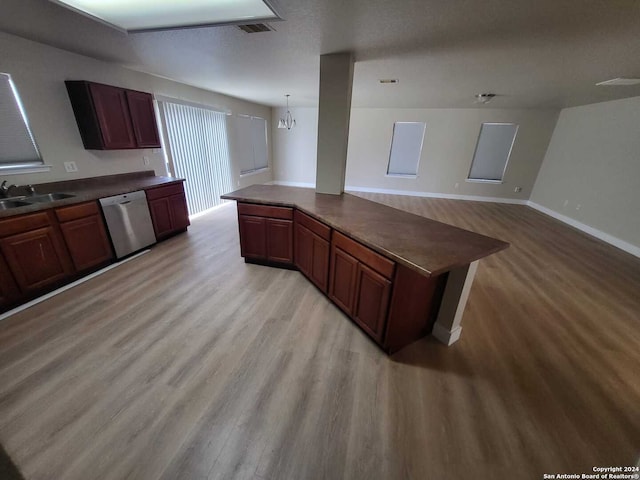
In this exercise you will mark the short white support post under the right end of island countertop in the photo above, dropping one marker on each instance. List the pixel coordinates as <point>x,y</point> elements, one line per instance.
<point>448,326</point>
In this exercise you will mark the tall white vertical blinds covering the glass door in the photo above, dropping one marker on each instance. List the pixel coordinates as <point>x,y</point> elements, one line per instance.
<point>199,152</point>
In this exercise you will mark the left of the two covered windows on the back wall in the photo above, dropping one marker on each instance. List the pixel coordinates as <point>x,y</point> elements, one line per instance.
<point>406,147</point>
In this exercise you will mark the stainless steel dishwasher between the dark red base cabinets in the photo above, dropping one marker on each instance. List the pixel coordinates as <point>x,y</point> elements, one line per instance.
<point>128,222</point>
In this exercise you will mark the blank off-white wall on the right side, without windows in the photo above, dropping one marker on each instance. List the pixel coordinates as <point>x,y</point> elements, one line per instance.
<point>591,172</point>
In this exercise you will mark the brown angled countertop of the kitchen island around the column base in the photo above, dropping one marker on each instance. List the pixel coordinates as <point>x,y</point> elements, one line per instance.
<point>426,246</point>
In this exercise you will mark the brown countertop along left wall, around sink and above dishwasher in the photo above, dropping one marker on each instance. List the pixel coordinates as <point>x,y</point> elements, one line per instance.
<point>88,189</point>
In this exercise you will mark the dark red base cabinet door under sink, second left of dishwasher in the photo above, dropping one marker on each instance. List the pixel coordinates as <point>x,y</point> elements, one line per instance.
<point>36,258</point>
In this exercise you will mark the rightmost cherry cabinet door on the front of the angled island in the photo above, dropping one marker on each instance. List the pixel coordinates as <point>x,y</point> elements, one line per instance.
<point>372,300</point>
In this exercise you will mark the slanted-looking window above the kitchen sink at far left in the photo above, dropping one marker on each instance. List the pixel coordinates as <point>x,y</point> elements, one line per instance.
<point>18,150</point>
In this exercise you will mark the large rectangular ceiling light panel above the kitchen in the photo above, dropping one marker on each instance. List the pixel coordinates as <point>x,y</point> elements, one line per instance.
<point>142,15</point>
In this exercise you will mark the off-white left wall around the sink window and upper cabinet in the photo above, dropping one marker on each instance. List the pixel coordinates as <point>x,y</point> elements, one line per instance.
<point>39,72</point>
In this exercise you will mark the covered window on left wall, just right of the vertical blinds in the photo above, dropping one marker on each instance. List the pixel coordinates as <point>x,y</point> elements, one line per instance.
<point>252,143</point>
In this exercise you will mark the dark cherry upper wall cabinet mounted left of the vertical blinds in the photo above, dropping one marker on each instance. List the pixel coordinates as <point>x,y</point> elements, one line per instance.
<point>113,118</point>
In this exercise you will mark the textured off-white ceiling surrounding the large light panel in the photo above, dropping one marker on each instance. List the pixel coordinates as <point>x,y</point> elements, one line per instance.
<point>533,54</point>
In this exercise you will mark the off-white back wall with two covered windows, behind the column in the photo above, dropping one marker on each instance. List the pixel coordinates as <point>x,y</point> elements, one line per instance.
<point>447,153</point>
